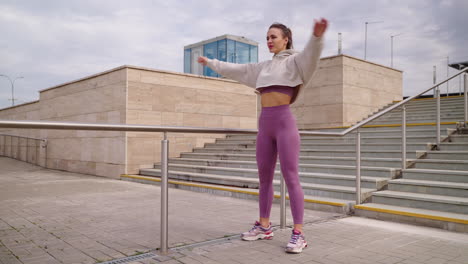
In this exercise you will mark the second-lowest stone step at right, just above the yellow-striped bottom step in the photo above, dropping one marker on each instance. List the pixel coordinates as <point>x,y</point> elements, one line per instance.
<point>442,203</point>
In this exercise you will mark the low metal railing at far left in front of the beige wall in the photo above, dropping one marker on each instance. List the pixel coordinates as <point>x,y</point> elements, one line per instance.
<point>31,156</point>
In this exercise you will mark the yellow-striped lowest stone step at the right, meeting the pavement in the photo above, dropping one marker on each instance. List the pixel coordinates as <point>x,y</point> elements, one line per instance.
<point>432,218</point>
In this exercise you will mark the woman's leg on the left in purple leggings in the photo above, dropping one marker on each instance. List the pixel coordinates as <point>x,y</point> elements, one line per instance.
<point>266,155</point>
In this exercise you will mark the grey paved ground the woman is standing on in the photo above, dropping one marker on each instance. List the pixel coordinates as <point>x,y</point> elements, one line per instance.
<point>49,216</point>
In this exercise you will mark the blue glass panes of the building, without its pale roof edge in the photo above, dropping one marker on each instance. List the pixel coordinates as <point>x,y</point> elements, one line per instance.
<point>224,50</point>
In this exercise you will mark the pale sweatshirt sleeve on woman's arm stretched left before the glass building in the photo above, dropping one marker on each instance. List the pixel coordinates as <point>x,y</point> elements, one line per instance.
<point>244,73</point>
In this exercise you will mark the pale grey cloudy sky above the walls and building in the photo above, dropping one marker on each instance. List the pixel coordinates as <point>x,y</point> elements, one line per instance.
<point>50,42</point>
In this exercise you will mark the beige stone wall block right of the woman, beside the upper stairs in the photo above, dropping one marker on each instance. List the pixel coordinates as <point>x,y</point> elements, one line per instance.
<point>345,90</point>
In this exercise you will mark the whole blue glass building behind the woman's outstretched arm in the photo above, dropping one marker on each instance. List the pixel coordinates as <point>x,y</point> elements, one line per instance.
<point>227,48</point>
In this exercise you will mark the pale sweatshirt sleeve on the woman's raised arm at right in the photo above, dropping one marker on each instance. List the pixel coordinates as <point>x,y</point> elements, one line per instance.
<point>307,60</point>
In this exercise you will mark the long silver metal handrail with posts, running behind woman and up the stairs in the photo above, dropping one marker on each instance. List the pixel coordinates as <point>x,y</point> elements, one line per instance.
<point>174,129</point>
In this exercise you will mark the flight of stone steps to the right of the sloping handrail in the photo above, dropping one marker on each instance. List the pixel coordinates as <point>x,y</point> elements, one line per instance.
<point>433,191</point>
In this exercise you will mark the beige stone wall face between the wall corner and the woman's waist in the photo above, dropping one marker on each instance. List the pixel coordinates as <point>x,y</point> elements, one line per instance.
<point>174,99</point>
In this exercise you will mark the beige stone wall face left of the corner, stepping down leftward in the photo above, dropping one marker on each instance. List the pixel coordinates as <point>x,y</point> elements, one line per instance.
<point>100,98</point>
